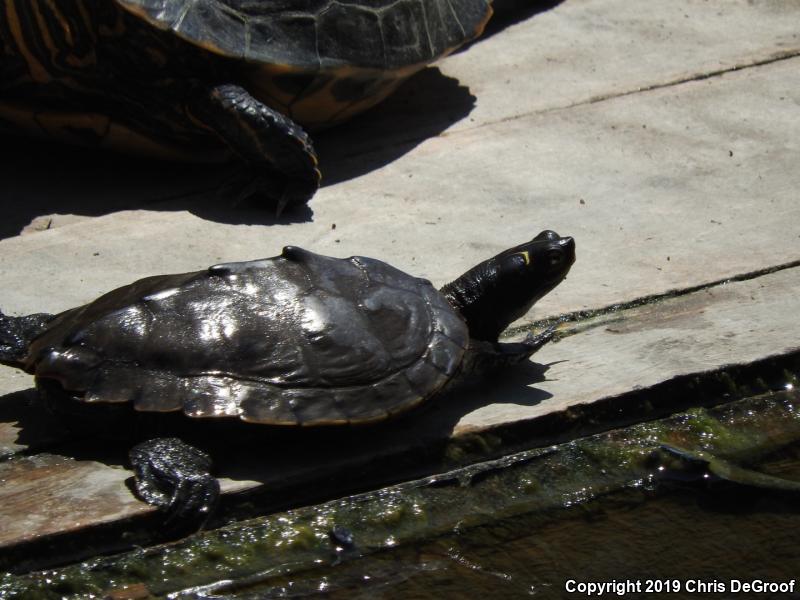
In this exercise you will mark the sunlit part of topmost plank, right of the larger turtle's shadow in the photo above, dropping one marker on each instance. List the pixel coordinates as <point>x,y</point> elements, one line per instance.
<point>583,50</point>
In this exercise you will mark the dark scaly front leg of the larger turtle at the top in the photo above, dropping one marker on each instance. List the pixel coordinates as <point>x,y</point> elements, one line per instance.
<point>282,160</point>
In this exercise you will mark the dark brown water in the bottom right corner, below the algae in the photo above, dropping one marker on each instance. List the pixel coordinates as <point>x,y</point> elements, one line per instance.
<point>692,539</point>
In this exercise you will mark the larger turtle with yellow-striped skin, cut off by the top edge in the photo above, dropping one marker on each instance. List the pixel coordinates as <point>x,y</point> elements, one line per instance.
<point>189,78</point>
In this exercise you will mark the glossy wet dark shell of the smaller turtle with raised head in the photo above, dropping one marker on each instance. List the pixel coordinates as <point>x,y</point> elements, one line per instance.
<point>296,339</point>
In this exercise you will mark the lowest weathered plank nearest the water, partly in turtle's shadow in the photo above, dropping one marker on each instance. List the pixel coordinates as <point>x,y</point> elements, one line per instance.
<point>727,324</point>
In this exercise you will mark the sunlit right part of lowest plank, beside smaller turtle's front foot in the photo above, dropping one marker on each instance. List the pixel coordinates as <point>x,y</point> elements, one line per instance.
<point>736,323</point>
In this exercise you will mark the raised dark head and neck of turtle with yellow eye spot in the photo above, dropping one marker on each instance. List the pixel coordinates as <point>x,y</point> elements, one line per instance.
<point>500,290</point>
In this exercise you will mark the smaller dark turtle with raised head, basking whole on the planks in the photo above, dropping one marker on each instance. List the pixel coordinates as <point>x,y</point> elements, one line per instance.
<point>299,339</point>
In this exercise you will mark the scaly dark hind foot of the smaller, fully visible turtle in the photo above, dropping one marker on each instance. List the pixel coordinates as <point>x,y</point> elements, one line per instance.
<point>175,477</point>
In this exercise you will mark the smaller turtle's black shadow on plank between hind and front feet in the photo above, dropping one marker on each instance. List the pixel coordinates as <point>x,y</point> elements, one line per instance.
<point>308,465</point>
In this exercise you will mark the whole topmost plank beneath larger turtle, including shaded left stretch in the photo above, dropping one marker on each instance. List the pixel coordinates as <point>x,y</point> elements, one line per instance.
<point>576,52</point>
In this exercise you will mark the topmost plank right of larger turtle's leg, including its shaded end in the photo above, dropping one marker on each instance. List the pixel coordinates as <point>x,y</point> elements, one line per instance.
<point>575,53</point>
